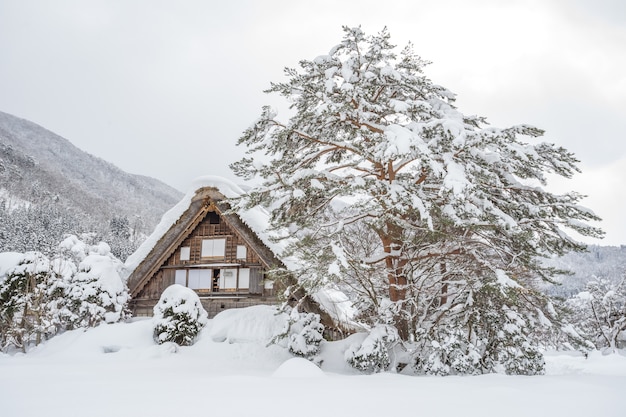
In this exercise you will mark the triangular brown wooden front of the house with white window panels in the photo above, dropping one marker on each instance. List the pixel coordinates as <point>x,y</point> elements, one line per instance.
<point>210,251</point>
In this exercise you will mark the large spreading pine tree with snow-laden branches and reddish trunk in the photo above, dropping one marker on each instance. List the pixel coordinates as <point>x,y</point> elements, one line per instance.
<point>456,208</point>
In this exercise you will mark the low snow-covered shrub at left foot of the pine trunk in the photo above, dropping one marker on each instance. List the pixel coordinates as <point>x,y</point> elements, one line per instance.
<point>373,354</point>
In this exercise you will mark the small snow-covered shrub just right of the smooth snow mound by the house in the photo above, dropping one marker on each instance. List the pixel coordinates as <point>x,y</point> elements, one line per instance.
<point>305,334</point>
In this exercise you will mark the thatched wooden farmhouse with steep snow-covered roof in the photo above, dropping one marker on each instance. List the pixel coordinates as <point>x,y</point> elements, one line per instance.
<point>201,244</point>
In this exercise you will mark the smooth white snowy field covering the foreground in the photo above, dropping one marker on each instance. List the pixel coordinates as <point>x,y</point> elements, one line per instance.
<point>117,370</point>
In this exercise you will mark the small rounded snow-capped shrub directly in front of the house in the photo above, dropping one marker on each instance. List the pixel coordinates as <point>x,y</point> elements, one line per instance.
<point>178,316</point>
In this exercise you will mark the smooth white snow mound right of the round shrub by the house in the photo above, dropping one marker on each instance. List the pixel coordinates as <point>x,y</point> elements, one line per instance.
<point>252,324</point>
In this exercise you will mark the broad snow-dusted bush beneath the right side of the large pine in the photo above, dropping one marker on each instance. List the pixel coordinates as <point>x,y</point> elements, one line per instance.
<point>490,332</point>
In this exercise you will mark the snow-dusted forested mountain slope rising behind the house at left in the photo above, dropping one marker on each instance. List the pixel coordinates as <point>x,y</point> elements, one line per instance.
<point>49,187</point>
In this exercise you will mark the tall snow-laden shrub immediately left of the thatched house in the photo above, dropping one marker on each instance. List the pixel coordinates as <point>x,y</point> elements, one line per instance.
<point>97,292</point>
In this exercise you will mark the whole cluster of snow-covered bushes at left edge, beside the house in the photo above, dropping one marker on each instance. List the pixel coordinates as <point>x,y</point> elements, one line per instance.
<point>79,287</point>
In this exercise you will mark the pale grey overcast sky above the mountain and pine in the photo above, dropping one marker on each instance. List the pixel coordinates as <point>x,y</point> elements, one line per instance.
<point>165,88</point>
